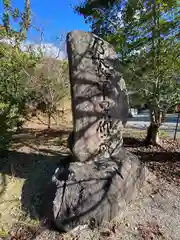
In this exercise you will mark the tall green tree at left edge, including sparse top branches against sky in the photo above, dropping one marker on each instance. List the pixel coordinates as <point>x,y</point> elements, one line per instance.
<point>14,71</point>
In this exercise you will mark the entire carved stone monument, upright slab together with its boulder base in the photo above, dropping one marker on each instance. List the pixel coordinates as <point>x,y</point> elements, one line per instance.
<point>101,176</point>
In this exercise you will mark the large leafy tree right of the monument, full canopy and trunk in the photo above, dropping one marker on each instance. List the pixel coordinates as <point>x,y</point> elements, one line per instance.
<point>144,34</point>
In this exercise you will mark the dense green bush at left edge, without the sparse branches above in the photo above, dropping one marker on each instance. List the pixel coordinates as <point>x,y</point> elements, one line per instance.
<point>15,69</point>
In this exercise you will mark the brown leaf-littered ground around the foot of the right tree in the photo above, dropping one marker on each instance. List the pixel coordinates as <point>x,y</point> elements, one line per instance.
<point>164,161</point>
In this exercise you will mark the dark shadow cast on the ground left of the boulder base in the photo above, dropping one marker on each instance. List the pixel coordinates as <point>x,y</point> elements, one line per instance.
<point>37,170</point>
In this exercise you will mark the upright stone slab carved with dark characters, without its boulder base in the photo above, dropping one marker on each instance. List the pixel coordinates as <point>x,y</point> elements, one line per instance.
<point>99,96</point>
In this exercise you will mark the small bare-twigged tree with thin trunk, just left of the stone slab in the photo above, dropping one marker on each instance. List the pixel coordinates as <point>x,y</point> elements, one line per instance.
<point>50,85</point>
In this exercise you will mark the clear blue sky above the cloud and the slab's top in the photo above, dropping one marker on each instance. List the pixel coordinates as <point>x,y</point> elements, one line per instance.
<point>55,16</point>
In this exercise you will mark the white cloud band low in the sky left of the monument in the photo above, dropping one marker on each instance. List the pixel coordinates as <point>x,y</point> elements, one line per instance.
<point>48,49</point>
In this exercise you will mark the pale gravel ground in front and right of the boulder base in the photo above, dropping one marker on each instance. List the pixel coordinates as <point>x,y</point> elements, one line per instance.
<point>154,216</point>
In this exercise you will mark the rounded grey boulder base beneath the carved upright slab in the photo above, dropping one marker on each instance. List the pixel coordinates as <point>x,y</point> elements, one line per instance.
<point>93,192</point>
